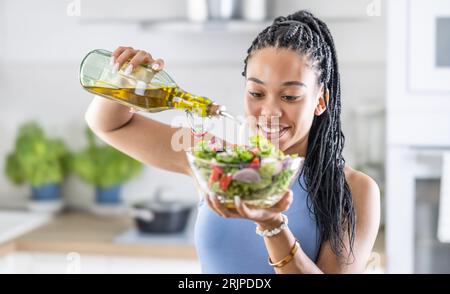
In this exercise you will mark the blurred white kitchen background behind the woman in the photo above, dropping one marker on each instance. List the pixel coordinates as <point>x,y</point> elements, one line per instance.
<point>394,59</point>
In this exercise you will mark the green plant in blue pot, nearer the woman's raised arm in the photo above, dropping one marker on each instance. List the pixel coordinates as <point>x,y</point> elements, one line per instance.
<point>105,168</point>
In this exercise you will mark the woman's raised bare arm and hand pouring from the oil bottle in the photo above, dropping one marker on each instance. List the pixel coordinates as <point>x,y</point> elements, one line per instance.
<point>138,136</point>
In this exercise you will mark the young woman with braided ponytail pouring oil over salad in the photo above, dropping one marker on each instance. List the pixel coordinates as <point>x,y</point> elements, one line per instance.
<point>291,73</point>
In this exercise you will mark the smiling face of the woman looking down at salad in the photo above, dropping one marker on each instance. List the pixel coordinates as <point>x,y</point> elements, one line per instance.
<point>282,97</point>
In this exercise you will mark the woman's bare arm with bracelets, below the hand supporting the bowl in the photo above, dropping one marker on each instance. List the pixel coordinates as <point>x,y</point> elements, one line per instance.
<point>366,197</point>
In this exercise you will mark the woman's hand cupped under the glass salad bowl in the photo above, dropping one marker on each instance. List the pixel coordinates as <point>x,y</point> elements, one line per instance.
<point>258,215</point>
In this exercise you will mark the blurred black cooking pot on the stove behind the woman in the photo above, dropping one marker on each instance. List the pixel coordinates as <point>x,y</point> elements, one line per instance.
<point>158,216</point>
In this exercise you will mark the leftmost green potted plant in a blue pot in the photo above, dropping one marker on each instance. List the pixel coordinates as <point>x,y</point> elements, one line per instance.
<point>39,161</point>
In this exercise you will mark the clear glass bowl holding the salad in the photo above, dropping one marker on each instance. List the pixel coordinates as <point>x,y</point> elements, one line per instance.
<point>260,185</point>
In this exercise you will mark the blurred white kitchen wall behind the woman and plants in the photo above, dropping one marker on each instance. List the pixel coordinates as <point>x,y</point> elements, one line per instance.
<point>41,48</point>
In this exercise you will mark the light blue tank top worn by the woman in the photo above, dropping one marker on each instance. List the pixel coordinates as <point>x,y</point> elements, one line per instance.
<point>231,246</point>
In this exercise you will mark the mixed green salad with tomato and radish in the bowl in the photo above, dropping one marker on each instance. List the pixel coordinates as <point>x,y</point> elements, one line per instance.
<point>258,173</point>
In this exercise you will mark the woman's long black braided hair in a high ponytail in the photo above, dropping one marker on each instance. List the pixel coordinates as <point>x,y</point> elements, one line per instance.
<point>329,195</point>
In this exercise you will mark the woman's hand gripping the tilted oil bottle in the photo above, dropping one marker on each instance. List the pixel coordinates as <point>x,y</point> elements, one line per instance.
<point>135,57</point>
